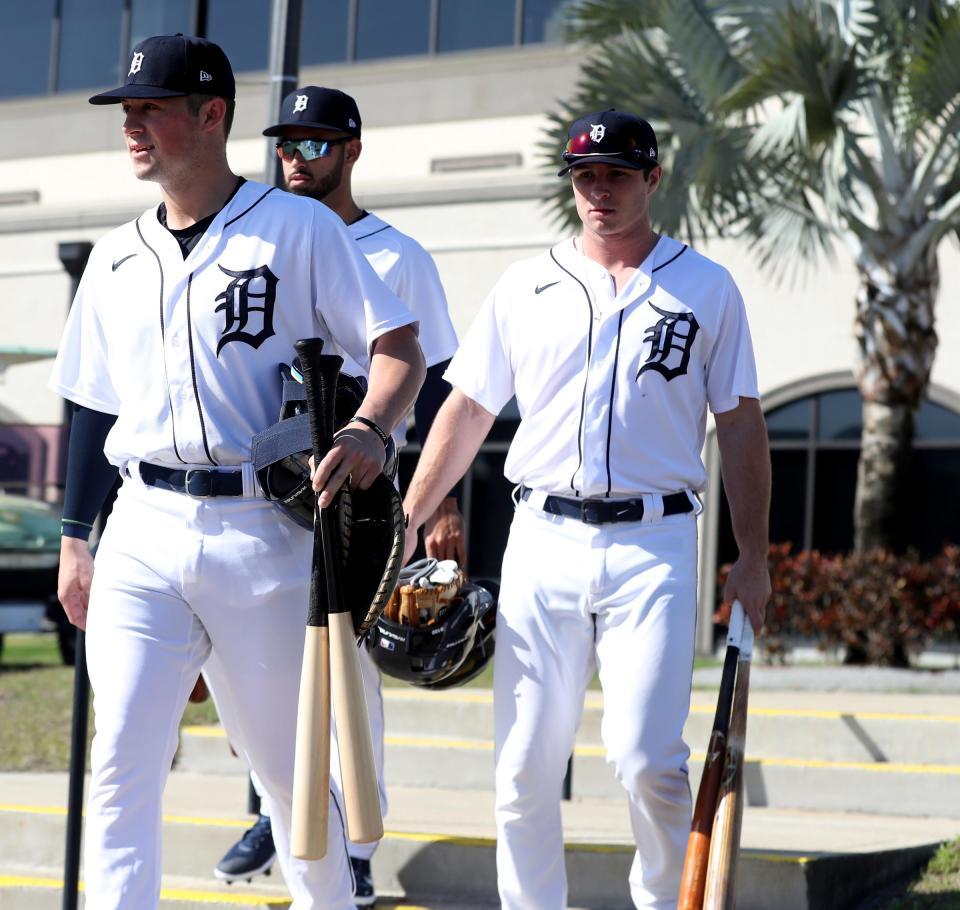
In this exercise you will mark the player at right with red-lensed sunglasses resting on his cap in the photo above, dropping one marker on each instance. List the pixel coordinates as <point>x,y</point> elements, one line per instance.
<point>615,343</point>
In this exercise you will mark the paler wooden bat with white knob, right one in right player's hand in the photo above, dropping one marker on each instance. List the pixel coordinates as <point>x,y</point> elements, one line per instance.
<point>725,843</point>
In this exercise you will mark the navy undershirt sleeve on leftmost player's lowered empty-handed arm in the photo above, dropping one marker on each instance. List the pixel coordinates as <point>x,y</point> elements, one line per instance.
<point>89,475</point>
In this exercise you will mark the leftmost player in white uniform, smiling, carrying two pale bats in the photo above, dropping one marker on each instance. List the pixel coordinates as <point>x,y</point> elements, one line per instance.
<point>175,338</point>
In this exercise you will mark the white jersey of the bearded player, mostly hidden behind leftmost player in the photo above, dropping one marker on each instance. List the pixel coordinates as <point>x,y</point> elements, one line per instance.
<point>410,272</point>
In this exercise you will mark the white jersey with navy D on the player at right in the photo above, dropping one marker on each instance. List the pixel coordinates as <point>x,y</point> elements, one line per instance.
<point>628,377</point>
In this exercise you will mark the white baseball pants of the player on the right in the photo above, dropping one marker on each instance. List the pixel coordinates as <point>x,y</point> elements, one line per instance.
<point>622,598</point>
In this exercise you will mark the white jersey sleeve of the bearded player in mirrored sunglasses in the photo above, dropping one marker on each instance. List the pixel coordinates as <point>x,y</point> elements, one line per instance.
<point>418,285</point>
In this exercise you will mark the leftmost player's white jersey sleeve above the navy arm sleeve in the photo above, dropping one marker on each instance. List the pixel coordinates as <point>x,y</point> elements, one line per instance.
<point>81,372</point>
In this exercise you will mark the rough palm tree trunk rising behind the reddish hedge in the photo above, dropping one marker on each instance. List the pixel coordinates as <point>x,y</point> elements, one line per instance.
<point>894,328</point>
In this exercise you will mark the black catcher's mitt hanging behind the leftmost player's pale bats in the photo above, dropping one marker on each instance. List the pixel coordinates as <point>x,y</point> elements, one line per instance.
<point>372,534</point>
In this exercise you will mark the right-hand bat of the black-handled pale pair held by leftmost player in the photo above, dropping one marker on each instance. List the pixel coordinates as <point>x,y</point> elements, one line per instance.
<point>357,769</point>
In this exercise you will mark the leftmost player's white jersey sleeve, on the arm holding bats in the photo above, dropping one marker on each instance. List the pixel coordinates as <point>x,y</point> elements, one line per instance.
<point>343,279</point>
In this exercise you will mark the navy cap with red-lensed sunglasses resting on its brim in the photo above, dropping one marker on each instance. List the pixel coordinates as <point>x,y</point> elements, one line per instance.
<point>610,137</point>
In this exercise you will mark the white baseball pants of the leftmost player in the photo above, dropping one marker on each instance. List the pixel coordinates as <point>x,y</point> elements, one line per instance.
<point>180,584</point>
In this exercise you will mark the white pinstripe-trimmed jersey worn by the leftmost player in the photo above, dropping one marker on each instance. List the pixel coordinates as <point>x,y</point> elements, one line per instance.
<point>186,351</point>
